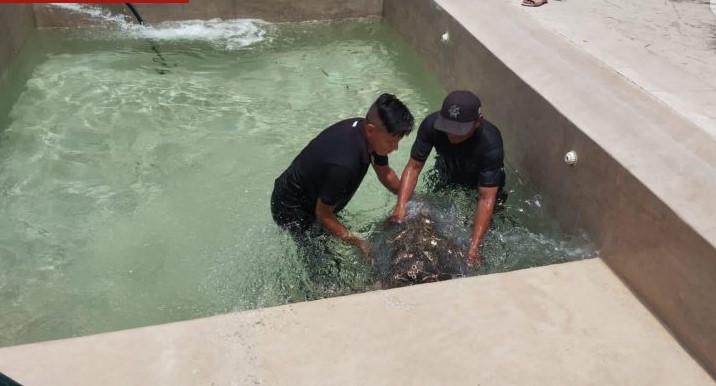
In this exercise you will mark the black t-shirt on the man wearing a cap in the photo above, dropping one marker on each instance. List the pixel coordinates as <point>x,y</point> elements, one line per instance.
<point>478,161</point>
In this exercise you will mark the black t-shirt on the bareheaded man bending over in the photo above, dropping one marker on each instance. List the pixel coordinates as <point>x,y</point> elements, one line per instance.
<point>331,167</point>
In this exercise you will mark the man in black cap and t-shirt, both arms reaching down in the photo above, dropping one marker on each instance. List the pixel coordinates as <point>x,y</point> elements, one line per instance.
<point>470,154</point>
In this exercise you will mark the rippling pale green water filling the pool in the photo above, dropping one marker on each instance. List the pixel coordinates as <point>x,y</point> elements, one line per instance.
<point>131,197</point>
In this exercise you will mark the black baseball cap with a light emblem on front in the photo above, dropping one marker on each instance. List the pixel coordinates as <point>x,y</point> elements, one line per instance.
<point>460,110</point>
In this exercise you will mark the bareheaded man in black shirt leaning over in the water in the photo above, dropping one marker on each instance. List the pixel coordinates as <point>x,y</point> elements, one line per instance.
<point>324,176</point>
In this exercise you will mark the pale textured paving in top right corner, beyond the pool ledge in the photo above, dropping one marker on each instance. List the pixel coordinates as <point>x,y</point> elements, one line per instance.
<point>667,48</point>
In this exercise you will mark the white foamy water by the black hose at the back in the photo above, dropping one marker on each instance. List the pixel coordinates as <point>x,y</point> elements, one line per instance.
<point>226,34</point>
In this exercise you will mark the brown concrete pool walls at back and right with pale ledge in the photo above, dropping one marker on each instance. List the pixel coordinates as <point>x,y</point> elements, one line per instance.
<point>646,209</point>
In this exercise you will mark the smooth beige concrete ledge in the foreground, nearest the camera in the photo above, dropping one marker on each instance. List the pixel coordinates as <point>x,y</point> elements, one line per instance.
<point>571,324</point>
